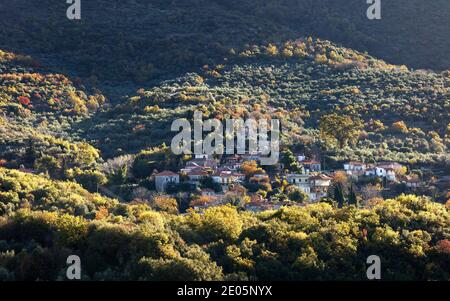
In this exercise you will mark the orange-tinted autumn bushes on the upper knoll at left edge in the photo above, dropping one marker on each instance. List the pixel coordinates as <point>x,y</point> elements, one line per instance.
<point>25,92</point>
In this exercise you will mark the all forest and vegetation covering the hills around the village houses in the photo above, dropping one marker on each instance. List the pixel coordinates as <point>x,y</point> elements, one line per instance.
<point>85,114</point>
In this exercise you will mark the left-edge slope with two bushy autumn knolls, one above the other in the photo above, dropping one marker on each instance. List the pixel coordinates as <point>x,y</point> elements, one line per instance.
<point>38,109</point>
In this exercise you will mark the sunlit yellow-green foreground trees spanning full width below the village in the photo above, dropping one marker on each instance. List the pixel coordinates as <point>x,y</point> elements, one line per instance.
<point>131,241</point>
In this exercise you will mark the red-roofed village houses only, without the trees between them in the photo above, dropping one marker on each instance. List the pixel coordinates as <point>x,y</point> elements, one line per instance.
<point>313,181</point>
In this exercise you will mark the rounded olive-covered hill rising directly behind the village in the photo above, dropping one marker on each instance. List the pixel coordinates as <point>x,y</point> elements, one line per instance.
<point>298,81</point>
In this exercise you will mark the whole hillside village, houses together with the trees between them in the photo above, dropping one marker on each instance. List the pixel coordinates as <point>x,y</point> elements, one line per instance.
<point>215,180</point>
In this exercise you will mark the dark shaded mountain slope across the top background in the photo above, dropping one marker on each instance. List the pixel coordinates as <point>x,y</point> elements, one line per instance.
<point>146,40</point>
